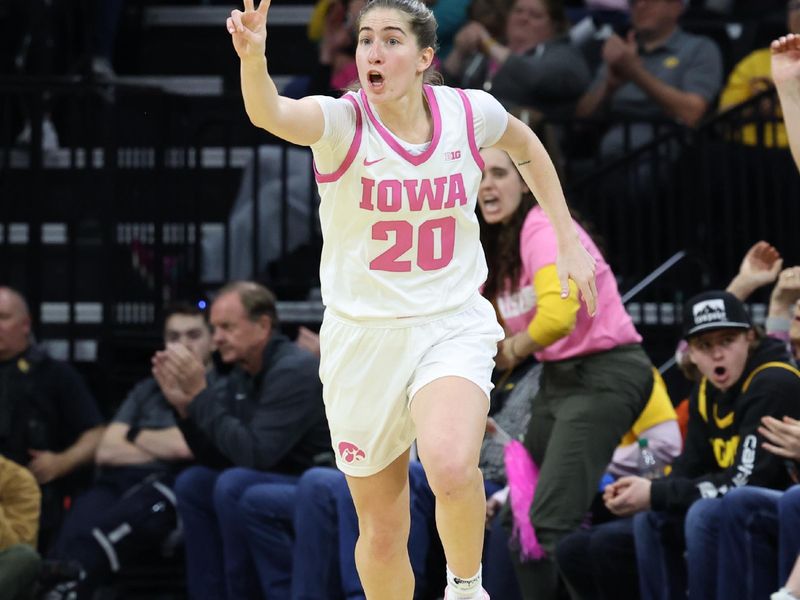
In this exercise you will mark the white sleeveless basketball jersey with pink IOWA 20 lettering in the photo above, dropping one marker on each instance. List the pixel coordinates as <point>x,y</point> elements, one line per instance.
<point>401,236</point>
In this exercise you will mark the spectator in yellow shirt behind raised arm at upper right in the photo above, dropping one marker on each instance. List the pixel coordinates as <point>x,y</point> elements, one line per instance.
<point>752,76</point>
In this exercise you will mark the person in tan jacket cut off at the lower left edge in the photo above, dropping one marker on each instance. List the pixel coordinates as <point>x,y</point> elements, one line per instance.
<point>19,522</point>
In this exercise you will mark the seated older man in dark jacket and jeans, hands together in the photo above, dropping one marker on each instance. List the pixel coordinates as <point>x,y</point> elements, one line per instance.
<point>266,418</point>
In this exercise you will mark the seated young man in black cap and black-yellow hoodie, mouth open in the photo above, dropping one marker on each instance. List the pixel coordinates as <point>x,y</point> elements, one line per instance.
<point>745,376</point>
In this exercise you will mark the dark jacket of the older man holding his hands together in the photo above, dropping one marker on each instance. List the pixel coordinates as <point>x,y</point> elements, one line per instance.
<point>273,421</point>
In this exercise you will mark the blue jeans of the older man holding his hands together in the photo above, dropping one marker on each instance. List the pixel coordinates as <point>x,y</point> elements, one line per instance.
<point>219,563</point>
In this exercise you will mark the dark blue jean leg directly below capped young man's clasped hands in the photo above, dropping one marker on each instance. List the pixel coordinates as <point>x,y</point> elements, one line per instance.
<point>659,555</point>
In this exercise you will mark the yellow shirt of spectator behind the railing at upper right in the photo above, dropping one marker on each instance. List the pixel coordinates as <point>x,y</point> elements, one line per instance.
<point>750,77</point>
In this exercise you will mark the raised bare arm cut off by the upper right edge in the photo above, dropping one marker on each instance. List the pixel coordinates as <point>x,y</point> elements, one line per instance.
<point>786,75</point>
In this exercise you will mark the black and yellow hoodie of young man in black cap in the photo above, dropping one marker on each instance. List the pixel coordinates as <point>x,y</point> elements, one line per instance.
<point>723,447</point>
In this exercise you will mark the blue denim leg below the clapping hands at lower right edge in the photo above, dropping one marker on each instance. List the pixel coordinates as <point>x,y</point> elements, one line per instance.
<point>748,551</point>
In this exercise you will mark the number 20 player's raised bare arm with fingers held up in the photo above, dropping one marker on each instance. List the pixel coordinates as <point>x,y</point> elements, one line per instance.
<point>297,121</point>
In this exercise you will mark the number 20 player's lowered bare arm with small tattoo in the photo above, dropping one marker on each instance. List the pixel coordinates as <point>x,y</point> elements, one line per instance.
<point>539,173</point>
